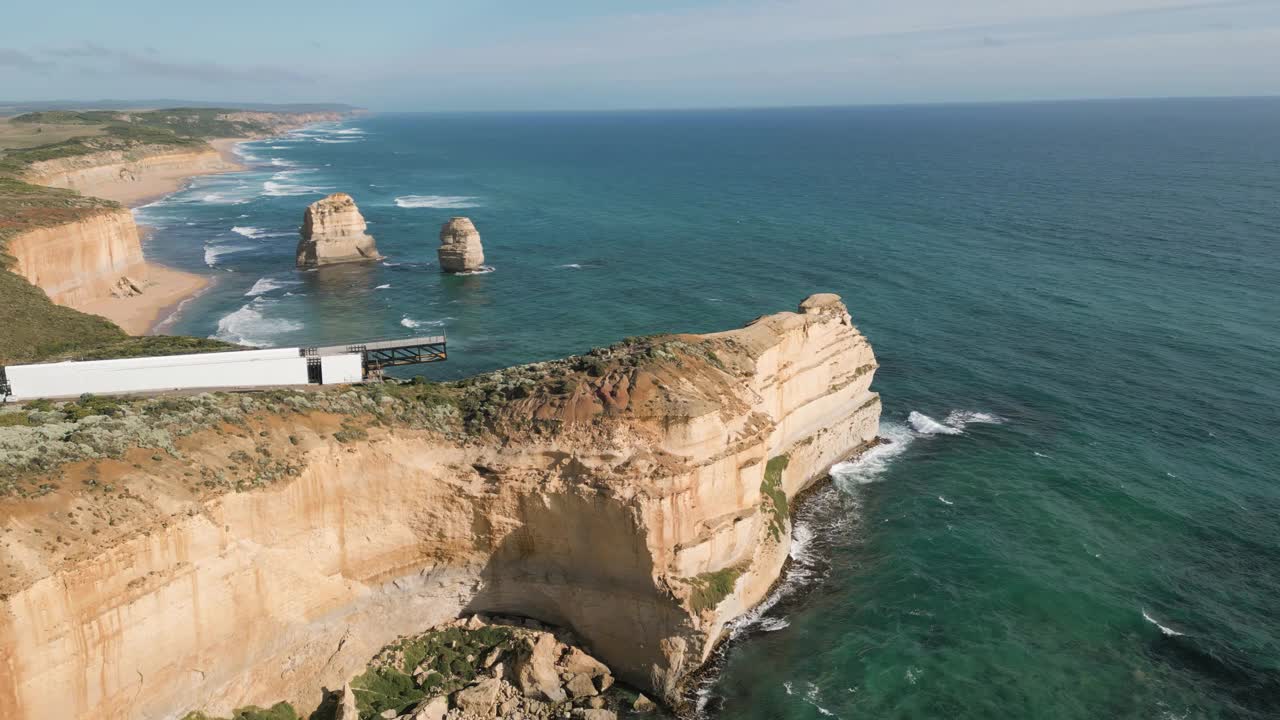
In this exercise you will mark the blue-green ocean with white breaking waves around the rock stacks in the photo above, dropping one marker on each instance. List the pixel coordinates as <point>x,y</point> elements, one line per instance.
<point>1077,315</point>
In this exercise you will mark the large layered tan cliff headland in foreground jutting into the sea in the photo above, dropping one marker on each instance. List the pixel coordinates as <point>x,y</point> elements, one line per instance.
<point>636,495</point>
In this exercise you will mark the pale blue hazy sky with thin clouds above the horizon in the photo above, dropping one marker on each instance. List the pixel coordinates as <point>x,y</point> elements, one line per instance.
<point>607,54</point>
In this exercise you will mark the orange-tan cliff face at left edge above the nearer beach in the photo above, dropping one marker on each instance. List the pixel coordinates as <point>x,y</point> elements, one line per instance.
<point>84,261</point>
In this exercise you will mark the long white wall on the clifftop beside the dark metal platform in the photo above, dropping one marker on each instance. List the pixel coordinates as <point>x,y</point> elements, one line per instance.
<point>250,368</point>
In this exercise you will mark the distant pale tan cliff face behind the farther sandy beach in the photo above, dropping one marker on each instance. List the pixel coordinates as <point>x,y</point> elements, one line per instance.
<point>116,175</point>
